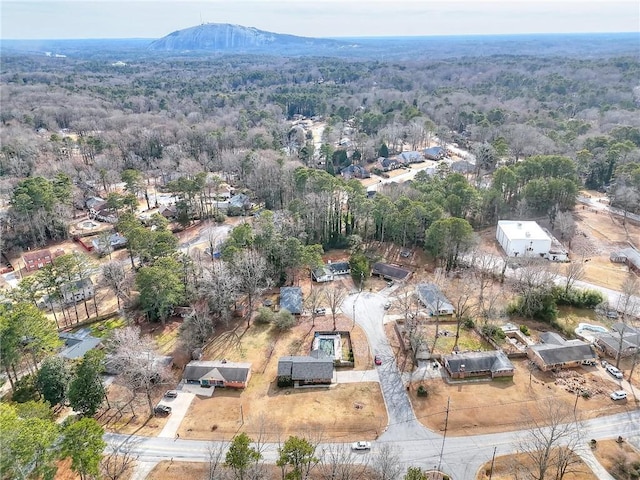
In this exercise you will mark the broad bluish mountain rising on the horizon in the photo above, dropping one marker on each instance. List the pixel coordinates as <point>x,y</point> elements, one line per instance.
<point>224,37</point>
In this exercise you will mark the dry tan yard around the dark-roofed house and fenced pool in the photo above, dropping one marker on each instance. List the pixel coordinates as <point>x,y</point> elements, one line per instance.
<point>341,412</point>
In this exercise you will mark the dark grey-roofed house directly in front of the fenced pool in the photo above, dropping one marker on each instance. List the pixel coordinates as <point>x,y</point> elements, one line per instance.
<point>315,369</point>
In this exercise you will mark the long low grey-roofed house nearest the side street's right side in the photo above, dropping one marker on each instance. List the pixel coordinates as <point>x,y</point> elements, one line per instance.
<point>478,364</point>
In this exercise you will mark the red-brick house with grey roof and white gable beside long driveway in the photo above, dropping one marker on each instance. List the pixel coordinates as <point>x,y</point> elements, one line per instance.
<point>218,373</point>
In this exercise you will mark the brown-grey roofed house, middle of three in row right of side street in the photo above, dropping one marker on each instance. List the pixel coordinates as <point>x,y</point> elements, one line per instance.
<point>555,352</point>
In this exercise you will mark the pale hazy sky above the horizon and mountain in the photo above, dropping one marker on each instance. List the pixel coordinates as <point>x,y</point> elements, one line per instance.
<point>49,19</point>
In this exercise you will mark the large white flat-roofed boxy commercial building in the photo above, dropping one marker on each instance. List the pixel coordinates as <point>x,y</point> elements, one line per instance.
<point>523,239</point>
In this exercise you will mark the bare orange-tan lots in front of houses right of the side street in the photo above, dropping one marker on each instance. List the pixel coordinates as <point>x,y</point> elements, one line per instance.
<point>473,403</point>
